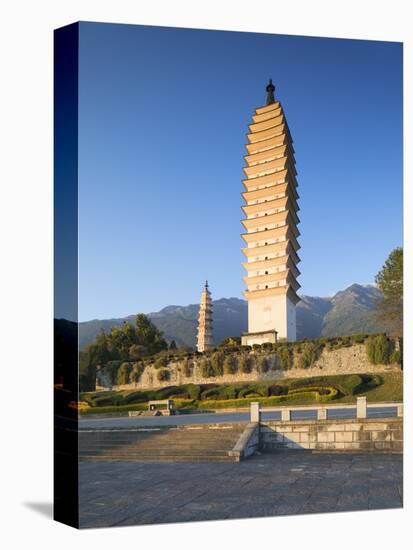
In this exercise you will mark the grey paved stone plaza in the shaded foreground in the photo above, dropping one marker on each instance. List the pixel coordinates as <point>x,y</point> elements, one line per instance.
<point>135,493</point>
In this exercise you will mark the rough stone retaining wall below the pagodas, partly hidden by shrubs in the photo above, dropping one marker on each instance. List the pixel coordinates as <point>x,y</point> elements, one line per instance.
<point>346,360</point>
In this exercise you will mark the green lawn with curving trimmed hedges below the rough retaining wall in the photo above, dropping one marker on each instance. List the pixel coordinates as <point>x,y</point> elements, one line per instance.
<point>383,387</point>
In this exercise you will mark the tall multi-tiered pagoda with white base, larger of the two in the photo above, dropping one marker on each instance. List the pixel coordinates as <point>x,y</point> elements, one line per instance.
<point>271,226</point>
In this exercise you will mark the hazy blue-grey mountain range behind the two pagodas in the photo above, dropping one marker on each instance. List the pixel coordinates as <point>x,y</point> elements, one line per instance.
<point>349,311</point>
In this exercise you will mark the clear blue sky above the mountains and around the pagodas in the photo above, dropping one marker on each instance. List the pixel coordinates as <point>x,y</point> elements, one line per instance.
<point>163,119</point>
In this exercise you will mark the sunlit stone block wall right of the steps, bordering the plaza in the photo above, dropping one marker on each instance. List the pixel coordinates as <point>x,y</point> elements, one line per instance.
<point>333,435</point>
